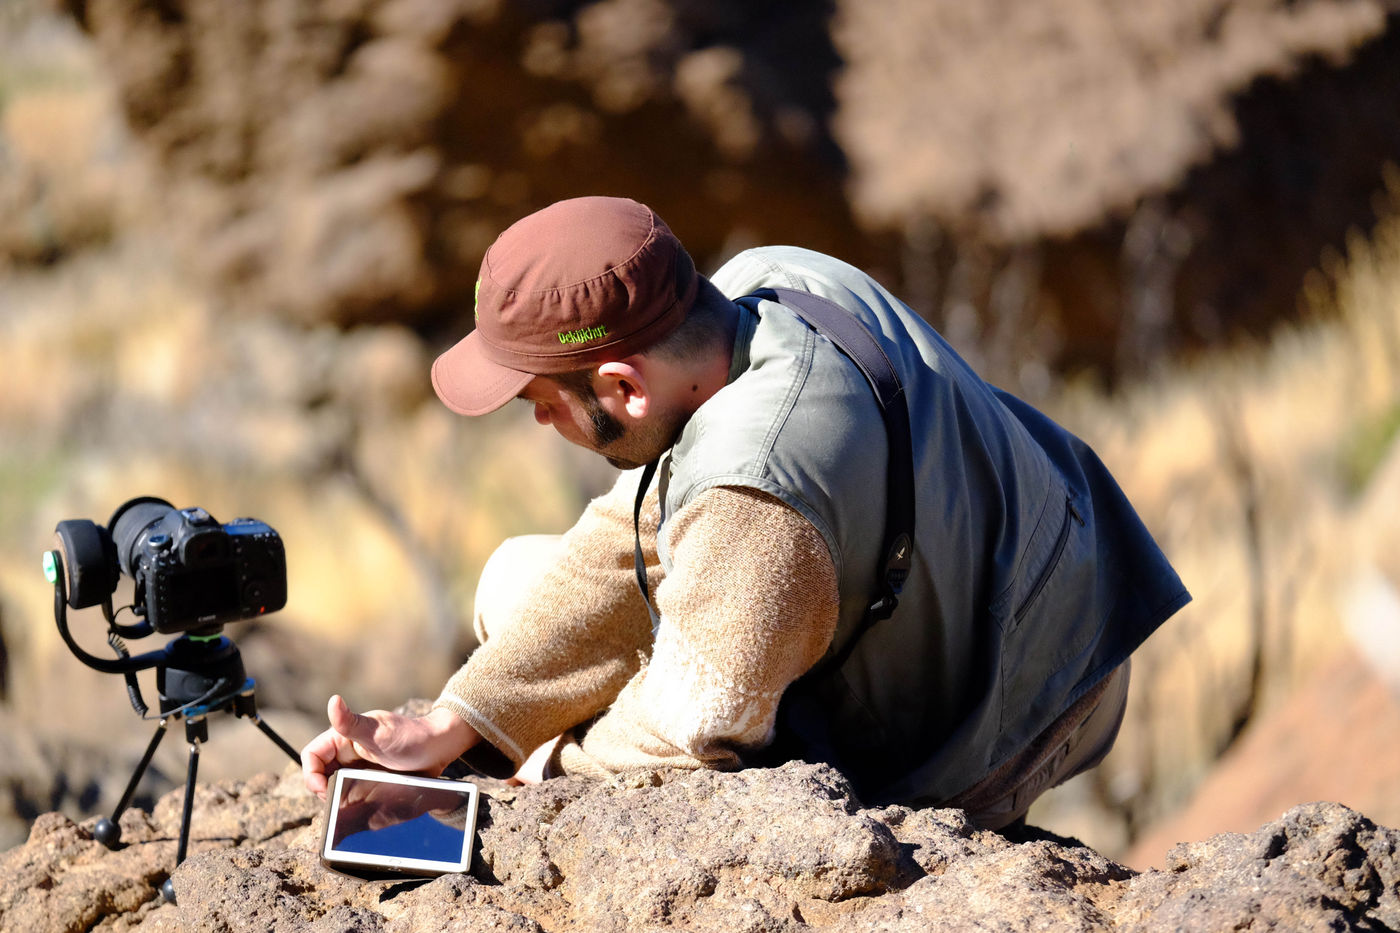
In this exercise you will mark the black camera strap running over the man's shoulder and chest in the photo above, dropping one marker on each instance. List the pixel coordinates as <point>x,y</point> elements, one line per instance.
<point>855,340</point>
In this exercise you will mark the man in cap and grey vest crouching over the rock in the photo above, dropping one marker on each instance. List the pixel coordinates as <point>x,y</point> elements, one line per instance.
<point>1004,668</point>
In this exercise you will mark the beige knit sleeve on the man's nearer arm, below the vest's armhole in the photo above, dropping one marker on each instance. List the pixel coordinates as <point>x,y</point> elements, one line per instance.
<point>750,606</point>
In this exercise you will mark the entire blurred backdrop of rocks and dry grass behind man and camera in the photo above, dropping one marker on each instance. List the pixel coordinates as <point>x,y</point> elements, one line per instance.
<point>234,236</point>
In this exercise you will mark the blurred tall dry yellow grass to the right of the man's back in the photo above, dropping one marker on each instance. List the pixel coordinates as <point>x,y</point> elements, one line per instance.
<point>1259,474</point>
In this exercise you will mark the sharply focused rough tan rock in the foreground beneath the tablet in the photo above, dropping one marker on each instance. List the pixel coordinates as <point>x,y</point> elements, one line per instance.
<point>782,850</point>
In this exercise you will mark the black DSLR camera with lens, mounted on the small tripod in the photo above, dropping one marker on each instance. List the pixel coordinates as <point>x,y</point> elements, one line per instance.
<point>191,572</point>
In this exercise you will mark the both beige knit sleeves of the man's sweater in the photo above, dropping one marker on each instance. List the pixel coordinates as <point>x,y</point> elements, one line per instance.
<point>748,607</point>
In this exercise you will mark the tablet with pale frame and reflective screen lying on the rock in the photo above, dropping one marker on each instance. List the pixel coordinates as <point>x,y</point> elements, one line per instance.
<point>384,822</point>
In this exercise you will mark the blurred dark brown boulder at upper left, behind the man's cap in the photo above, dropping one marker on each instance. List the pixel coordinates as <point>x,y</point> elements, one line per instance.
<point>349,163</point>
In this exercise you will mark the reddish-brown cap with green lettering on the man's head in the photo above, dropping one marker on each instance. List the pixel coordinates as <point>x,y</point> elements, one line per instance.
<point>582,282</point>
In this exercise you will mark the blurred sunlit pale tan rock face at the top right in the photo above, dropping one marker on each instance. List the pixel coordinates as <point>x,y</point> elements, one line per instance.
<point>1094,104</point>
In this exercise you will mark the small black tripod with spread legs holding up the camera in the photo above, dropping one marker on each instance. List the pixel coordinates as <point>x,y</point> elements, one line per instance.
<point>198,677</point>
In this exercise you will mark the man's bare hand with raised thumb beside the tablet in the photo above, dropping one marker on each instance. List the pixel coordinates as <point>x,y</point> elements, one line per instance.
<point>419,745</point>
